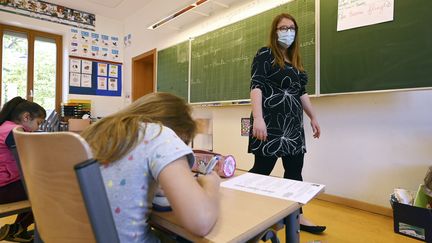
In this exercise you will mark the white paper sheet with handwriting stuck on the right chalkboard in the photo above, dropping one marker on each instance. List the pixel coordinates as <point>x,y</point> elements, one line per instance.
<point>358,13</point>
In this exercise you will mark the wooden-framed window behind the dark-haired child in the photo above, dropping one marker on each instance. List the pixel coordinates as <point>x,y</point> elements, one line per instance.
<point>31,66</point>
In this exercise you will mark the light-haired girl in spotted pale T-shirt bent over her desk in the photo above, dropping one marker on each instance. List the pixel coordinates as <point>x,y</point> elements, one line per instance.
<point>145,145</point>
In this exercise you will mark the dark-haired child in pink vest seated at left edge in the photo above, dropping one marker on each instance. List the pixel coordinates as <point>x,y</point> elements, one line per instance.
<point>27,115</point>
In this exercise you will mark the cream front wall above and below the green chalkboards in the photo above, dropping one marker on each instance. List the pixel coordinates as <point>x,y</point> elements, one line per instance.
<point>370,144</point>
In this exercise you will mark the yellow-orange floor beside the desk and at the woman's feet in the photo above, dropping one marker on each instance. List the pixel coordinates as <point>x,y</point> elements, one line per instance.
<point>344,225</point>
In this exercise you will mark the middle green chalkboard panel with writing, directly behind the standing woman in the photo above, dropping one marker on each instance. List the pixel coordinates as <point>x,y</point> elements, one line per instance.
<point>221,59</point>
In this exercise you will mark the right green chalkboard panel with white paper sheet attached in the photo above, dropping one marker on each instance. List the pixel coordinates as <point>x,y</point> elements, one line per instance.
<point>390,55</point>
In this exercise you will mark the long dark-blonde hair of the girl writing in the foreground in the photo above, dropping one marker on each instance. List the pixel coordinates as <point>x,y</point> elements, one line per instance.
<point>114,136</point>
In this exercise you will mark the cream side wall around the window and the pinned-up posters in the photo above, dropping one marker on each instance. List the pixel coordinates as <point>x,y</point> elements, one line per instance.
<point>103,25</point>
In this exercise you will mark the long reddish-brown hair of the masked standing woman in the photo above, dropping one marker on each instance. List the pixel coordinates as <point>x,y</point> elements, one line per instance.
<point>293,51</point>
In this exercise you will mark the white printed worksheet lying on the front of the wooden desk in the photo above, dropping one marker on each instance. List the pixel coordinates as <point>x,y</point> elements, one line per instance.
<point>297,191</point>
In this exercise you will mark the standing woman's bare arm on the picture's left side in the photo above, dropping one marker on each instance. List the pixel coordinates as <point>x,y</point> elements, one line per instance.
<point>259,127</point>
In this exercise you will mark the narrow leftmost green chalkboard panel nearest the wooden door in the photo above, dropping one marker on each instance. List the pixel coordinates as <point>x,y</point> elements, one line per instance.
<point>173,70</point>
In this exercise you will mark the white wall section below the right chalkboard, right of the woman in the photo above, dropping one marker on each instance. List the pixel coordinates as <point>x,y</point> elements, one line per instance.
<point>371,143</point>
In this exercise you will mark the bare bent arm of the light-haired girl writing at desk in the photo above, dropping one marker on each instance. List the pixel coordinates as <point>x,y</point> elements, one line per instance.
<point>195,201</point>
